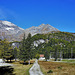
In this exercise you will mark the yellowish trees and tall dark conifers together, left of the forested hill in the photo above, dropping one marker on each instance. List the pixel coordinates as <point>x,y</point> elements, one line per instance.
<point>24,52</point>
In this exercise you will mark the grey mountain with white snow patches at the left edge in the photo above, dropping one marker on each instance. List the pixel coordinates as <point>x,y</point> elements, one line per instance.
<point>10,31</point>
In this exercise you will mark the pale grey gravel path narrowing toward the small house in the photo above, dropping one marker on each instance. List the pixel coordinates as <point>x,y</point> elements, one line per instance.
<point>35,69</point>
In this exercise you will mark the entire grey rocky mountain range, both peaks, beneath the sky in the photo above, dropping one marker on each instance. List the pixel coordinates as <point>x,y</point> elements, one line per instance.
<point>12,32</point>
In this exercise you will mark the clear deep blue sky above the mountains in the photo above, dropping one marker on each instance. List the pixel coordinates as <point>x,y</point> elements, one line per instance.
<point>28,13</point>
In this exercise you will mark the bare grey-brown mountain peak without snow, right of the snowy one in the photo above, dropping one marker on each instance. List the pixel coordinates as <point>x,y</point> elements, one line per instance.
<point>41,29</point>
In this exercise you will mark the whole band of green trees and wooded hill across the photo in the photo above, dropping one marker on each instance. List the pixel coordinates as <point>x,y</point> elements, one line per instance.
<point>56,45</point>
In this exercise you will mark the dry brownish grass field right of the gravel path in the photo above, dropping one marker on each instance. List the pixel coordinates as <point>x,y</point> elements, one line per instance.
<point>58,68</point>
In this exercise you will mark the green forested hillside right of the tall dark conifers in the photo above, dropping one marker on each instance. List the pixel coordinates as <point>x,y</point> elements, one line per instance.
<point>57,44</point>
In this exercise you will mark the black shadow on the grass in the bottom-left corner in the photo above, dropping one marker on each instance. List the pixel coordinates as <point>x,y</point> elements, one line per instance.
<point>7,70</point>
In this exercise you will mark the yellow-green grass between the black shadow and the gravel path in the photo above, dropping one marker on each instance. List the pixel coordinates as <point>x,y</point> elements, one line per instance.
<point>20,69</point>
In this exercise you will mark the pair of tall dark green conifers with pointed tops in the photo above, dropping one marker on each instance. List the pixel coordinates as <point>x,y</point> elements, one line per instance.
<point>26,48</point>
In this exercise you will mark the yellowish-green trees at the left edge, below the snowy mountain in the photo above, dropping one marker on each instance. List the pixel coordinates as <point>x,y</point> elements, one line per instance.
<point>7,51</point>
